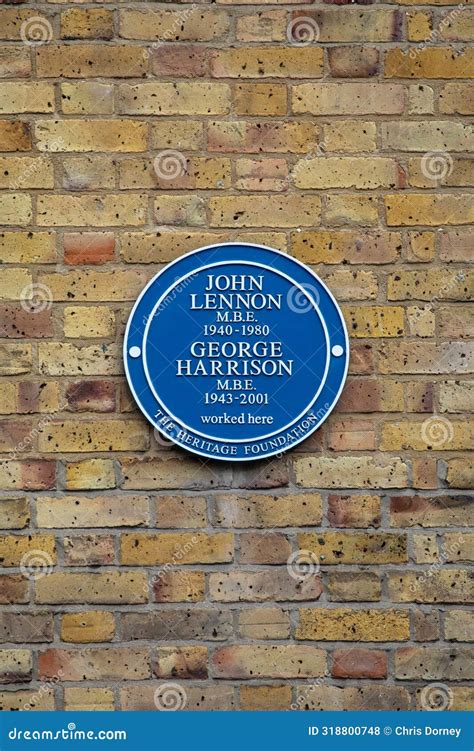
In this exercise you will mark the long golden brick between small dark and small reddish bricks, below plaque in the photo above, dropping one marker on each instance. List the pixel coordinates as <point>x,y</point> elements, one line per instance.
<point>192,547</point>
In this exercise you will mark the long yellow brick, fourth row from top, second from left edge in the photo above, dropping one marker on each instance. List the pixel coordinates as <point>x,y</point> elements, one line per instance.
<point>85,135</point>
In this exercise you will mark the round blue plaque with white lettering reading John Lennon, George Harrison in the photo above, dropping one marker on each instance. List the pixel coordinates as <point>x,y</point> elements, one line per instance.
<point>236,351</point>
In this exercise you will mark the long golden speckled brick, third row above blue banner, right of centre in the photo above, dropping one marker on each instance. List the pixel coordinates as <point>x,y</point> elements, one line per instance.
<point>341,624</point>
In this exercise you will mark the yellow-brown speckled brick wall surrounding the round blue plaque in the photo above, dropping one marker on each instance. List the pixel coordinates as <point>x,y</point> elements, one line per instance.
<point>338,133</point>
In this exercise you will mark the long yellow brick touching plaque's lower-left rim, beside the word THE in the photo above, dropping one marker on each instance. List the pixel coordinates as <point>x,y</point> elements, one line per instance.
<point>87,435</point>
